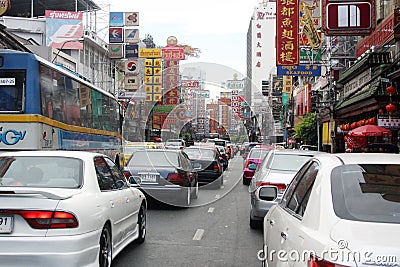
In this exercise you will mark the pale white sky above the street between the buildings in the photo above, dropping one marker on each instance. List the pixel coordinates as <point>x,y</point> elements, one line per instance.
<point>217,27</point>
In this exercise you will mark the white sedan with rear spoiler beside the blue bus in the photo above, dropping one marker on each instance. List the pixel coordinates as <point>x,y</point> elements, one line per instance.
<point>66,208</point>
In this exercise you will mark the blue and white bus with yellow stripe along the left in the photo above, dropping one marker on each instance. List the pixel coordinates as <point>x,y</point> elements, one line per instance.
<point>46,107</point>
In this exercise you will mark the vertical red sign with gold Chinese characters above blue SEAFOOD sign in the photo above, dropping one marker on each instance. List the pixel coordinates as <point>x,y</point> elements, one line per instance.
<point>287,37</point>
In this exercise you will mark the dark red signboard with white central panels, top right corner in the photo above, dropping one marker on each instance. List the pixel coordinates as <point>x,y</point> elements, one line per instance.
<point>348,18</point>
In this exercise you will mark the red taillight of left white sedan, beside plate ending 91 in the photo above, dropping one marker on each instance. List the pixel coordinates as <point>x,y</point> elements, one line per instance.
<point>43,219</point>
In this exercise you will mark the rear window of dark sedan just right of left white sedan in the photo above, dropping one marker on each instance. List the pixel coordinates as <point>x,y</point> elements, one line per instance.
<point>153,158</point>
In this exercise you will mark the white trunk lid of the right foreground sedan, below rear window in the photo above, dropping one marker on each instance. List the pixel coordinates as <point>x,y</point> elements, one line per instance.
<point>370,242</point>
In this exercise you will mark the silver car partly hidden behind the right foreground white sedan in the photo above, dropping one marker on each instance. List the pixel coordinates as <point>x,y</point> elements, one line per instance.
<point>277,169</point>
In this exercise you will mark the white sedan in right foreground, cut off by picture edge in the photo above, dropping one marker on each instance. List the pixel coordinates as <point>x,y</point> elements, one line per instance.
<point>339,210</point>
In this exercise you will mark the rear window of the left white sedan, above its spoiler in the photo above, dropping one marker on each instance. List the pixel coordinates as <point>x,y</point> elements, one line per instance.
<point>54,172</point>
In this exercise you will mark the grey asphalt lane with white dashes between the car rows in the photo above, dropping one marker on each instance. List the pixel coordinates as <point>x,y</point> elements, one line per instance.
<point>213,234</point>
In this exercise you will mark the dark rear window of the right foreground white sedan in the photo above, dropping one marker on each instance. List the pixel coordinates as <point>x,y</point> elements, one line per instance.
<point>367,192</point>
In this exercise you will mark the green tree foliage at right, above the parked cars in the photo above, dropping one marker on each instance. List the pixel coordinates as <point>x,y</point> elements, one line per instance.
<point>307,129</point>
